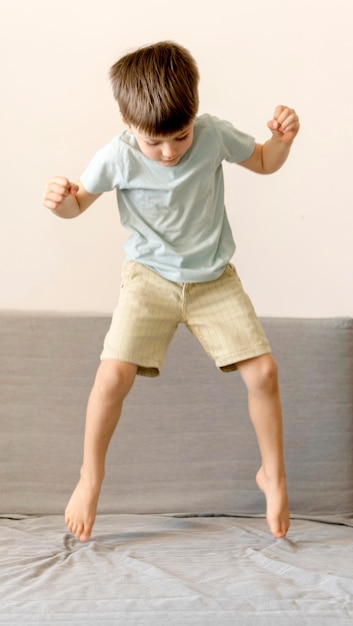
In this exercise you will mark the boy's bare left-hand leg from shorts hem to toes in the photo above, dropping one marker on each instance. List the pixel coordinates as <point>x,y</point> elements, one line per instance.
<point>113,382</point>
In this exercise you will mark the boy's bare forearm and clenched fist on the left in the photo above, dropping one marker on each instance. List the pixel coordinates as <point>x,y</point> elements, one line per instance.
<point>67,199</point>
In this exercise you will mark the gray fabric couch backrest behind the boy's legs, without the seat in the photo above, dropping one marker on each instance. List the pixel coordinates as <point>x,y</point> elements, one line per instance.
<point>184,444</point>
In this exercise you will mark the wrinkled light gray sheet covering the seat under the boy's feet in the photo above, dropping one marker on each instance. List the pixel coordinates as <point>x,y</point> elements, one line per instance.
<point>153,570</point>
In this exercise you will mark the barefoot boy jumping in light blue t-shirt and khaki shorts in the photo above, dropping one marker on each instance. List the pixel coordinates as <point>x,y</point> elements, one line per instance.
<point>166,168</point>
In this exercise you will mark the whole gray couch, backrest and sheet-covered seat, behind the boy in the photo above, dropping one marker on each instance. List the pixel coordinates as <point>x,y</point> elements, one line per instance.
<point>180,536</point>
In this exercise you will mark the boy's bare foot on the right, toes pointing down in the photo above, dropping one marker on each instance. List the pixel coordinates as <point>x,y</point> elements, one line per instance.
<point>277,513</point>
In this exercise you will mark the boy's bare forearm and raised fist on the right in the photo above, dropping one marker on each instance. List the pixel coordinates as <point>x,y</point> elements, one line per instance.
<point>270,156</point>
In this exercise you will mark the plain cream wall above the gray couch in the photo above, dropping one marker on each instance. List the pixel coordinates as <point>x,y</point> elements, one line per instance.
<point>293,230</point>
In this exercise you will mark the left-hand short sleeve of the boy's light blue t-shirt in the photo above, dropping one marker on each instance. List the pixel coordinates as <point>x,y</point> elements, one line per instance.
<point>105,170</point>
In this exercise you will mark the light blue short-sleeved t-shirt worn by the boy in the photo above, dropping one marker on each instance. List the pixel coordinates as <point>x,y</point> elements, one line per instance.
<point>176,215</point>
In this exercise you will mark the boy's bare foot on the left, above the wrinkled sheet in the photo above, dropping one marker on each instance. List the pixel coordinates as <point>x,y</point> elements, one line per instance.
<point>80,512</point>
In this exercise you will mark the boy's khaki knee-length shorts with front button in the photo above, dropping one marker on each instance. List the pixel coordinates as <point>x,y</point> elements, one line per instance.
<point>150,307</point>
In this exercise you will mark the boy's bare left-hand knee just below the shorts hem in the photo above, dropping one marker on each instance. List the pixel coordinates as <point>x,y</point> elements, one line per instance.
<point>114,379</point>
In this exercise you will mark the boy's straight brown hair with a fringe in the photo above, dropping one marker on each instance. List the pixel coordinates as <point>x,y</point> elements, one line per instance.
<point>156,88</point>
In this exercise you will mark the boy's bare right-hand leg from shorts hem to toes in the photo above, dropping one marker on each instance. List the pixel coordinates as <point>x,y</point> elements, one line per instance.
<point>260,377</point>
